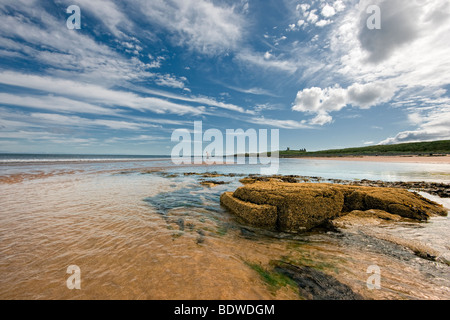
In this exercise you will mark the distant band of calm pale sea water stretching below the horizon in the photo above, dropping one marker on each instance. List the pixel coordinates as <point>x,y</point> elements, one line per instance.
<point>11,164</point>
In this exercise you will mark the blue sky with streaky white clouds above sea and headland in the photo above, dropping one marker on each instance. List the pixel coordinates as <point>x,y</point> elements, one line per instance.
<point>138,70</point>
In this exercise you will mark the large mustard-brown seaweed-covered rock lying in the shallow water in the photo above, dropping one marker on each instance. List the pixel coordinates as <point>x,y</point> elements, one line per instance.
<point>294,207</point>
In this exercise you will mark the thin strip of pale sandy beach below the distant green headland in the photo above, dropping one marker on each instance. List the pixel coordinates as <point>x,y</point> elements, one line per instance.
<point>393,159</point>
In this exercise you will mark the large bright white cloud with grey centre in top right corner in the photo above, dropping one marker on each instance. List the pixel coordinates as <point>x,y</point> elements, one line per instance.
<point>409,48</point>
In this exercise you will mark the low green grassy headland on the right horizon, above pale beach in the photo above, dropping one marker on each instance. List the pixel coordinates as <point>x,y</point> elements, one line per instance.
<point>419,148</point>
